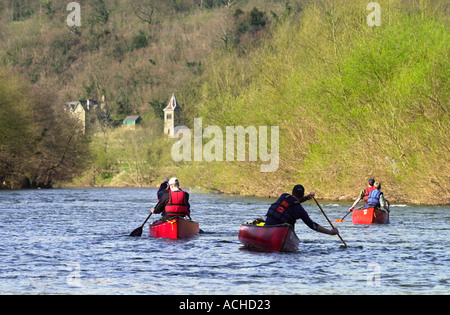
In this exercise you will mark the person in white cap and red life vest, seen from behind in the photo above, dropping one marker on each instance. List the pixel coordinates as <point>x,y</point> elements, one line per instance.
<point>174,202</point>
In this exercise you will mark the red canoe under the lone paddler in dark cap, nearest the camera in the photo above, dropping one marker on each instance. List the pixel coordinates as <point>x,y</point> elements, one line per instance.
<point>276,238</point>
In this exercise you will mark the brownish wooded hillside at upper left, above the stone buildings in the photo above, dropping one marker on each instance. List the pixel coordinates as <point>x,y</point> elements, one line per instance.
<point>135,53</point>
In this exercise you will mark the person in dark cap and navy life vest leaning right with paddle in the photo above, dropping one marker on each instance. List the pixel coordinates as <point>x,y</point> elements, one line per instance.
<point>288,209</point>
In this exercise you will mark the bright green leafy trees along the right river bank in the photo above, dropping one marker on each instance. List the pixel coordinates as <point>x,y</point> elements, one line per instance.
<point>352,102</point>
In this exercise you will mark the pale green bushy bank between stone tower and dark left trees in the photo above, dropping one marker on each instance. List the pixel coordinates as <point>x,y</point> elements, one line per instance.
<point>124,157</point>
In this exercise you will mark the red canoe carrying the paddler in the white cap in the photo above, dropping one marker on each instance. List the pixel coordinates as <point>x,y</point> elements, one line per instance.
<point>174,229</point>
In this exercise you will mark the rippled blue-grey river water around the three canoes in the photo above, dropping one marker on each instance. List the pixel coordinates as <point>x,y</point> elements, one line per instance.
<point>75,241</point>
